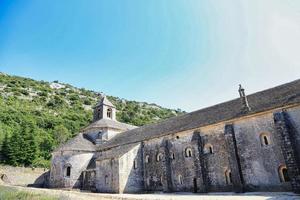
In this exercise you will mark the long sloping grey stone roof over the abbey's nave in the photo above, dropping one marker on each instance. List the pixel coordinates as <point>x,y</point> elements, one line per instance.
<point>276,97</point>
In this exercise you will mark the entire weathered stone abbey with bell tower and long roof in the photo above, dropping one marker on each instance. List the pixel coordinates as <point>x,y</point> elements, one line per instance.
<point>251,143</point>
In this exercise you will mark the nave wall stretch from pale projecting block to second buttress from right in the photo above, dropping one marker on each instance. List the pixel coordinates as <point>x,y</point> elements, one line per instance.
<point>197,171</point>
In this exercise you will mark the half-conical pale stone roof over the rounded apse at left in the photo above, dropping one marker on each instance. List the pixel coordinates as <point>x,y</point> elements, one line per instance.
<point>78,143</point>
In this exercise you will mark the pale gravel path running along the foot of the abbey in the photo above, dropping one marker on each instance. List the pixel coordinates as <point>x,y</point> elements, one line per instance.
<point>76,195</point>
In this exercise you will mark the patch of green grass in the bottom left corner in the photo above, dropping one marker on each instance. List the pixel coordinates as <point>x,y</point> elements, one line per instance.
<point>9,193</point>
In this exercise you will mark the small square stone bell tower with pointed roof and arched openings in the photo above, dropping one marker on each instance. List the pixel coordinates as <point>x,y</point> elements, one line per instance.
<point>104,109</point>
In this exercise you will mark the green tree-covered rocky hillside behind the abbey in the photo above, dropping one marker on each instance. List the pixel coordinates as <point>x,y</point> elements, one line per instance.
<point>37,116</point>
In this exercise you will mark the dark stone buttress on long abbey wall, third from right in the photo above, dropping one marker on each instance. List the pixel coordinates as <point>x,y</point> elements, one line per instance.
<point>201,173</point>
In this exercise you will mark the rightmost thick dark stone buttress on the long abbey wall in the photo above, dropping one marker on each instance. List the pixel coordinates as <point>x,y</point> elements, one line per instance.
<point>288,147</point>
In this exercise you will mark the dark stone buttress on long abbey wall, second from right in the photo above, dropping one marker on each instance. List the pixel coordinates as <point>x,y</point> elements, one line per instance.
<point>234,159</point>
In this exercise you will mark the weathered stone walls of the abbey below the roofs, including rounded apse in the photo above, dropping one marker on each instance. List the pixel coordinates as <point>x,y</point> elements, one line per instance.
<point>239,155</point>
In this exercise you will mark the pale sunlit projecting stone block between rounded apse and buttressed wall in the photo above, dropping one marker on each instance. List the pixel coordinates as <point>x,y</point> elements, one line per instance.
<point>120,169</point>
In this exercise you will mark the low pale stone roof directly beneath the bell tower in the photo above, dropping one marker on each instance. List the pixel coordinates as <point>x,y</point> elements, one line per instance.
<point>109,123</point>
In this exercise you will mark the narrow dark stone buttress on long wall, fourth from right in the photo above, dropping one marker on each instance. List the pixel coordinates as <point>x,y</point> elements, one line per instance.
<point>168,186</point>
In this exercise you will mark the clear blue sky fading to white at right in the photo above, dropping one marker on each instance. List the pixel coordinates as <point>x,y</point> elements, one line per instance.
<point>179,54</point>
